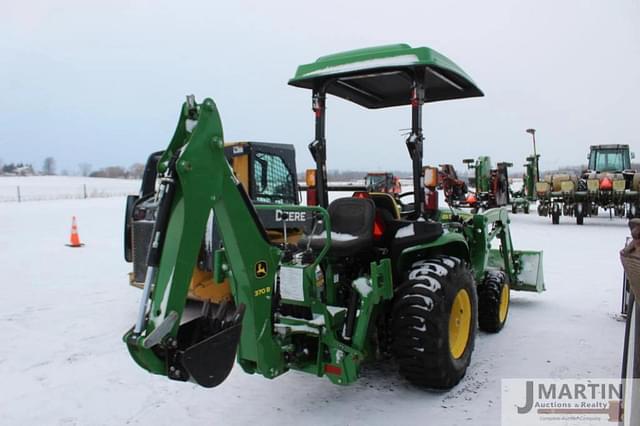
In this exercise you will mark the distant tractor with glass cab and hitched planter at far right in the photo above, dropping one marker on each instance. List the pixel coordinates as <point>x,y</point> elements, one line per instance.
<point>608,183</point>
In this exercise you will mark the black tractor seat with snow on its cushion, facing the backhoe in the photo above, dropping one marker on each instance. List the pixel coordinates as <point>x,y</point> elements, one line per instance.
<point>351,227</point>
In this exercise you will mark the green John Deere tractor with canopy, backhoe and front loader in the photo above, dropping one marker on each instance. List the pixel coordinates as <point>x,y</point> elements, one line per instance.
<point>365,280</point>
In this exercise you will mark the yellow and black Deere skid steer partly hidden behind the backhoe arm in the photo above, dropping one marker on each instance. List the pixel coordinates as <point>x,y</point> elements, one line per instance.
<point>267,172</point>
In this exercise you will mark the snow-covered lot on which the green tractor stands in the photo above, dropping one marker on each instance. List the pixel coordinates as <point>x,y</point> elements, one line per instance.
<point>63,312</point>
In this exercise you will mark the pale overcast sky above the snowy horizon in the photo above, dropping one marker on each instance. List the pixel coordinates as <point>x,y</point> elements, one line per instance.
<point>102,81</point>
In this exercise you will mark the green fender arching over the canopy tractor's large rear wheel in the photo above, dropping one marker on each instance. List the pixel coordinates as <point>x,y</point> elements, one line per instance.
<point>449,243</point>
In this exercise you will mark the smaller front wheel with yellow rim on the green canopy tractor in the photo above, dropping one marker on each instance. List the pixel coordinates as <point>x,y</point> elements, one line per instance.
<point>493,302</point>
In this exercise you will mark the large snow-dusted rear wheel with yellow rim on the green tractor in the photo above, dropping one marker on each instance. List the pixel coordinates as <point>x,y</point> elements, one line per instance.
<point>434,319</point>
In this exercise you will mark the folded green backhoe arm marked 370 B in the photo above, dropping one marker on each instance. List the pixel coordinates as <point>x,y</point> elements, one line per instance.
<point>204,183</point>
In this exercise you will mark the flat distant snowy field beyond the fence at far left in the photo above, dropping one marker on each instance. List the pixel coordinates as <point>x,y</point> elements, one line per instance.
<point>31,188</point>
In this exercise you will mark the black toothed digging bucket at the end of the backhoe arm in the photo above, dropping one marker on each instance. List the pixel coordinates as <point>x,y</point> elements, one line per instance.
<point>207,347</point>
